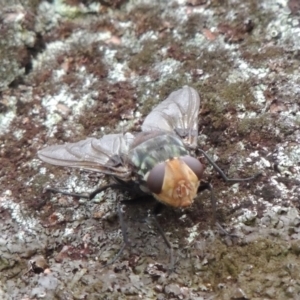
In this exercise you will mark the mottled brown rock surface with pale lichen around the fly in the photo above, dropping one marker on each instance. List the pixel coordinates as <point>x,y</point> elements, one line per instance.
<point>72,69</point>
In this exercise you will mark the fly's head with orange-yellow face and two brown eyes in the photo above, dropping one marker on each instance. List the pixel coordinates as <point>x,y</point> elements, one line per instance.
<point>175,182</point>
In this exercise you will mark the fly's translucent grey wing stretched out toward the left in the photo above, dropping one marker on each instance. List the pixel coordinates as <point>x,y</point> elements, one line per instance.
<point>103,155</point>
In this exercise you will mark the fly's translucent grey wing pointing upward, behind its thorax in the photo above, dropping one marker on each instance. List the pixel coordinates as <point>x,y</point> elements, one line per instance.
<point>178,113</point>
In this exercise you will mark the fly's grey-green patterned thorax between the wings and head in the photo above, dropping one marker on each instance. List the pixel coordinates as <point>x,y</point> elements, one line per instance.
<point>151,148</point>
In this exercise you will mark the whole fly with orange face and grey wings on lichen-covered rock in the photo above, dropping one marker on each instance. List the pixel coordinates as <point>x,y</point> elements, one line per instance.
<point>159,158</point>
